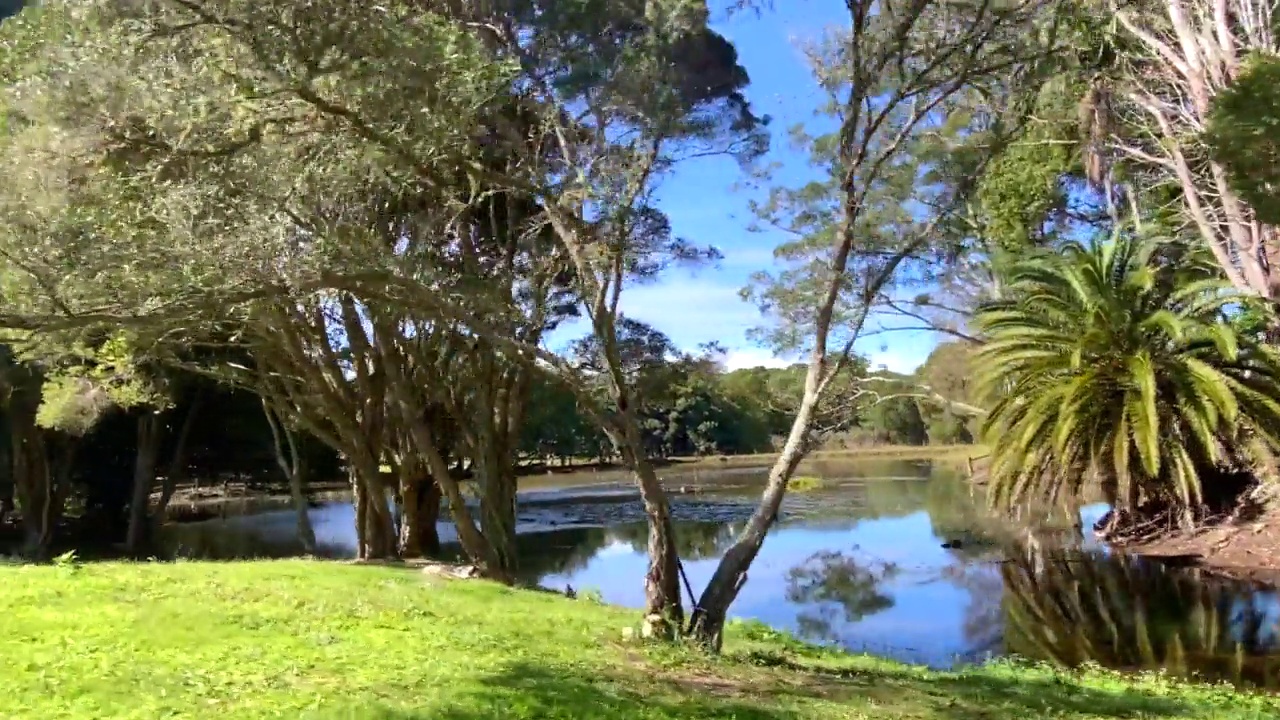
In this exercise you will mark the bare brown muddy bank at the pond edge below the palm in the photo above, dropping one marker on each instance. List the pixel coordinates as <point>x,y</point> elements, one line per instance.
<point>1247,550</point>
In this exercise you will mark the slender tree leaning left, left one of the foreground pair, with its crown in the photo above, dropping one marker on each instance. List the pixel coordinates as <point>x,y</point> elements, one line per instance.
<point>623,94</point>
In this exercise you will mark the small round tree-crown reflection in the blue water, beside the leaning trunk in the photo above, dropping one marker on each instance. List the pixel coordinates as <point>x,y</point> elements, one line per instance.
<point>834,589</point>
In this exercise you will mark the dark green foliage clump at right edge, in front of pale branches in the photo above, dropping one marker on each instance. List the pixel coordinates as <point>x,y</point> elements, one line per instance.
<point>1244,133</point>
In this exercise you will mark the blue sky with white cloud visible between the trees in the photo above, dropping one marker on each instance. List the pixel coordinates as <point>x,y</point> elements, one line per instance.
<point>696,307</point>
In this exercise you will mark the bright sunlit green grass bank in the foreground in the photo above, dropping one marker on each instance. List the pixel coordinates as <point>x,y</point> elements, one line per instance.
<point>314,640</point>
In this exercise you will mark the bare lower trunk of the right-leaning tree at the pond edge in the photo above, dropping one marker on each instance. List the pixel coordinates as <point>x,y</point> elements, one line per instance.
<point>707,625</point>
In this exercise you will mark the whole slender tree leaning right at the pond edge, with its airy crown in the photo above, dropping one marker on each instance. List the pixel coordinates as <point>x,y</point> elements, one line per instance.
<point>893,78</point>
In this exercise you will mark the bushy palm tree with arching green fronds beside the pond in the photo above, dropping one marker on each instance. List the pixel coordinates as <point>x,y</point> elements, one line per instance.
<point>1119,363</point>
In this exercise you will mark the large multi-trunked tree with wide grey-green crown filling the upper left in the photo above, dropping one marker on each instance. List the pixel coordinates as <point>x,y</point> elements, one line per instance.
<point>332,267</point>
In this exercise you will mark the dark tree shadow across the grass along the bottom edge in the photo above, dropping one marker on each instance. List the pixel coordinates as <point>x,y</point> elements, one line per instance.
<point>528,691</point>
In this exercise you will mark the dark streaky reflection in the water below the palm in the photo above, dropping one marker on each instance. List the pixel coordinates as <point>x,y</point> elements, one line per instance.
<point>1139,616</point>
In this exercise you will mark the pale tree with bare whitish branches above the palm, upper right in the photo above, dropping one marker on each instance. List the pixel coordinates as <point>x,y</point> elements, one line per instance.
<point>1151,107</point>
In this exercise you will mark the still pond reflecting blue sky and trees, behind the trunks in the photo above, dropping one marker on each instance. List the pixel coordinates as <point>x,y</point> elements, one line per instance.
<point>897,558</point>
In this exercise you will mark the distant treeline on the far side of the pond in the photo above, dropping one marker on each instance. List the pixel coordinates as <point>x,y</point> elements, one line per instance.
<point>693,408</point>
